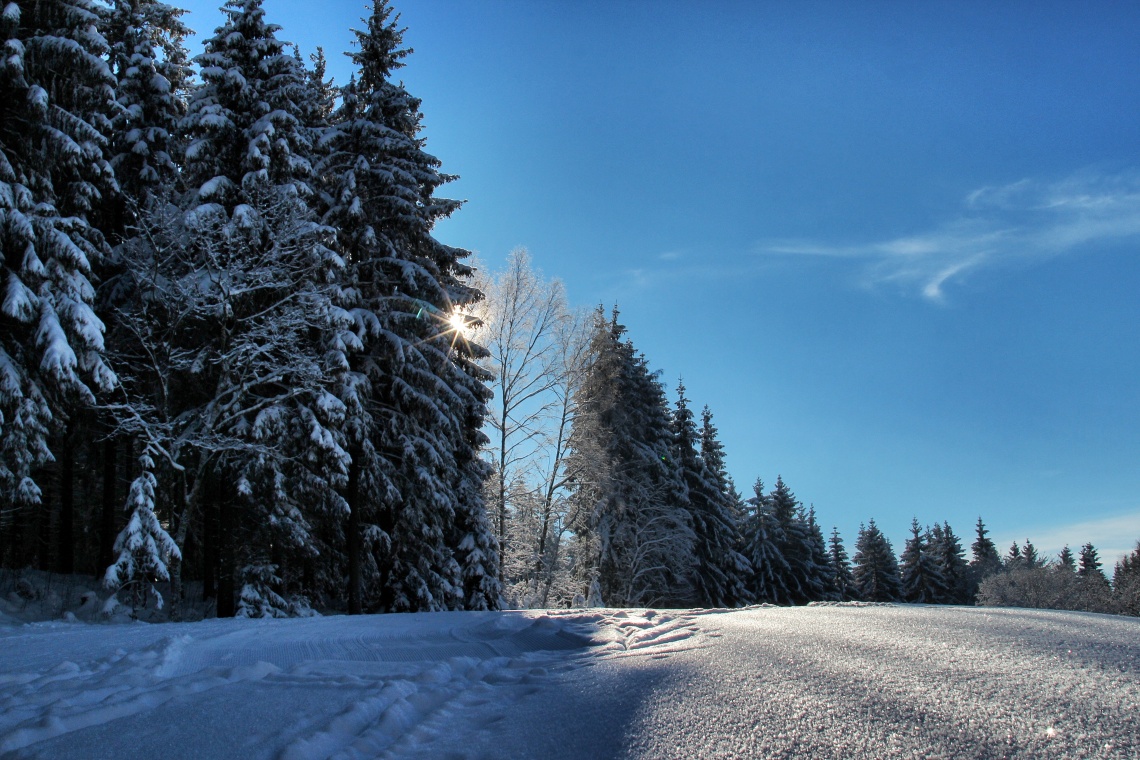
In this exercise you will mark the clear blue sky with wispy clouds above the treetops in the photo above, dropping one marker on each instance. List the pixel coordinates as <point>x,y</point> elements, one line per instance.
<point>894,247</point>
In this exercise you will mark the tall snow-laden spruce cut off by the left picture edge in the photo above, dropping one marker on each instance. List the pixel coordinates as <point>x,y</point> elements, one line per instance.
<point>56,92</point>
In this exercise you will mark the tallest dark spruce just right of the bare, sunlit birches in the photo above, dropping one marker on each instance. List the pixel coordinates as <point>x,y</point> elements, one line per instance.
<point>633,525</point>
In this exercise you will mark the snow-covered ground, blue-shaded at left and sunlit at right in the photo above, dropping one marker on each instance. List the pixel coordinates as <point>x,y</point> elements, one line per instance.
<point>820,682</point>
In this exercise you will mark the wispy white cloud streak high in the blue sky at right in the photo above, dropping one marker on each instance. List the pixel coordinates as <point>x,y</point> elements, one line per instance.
<point>1021,223</point>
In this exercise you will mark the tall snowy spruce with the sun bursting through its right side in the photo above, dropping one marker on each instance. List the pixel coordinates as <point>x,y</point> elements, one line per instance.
<point>417,397</point>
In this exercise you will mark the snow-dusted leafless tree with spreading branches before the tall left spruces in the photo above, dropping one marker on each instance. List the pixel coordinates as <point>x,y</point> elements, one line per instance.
<point>225,378</point>
